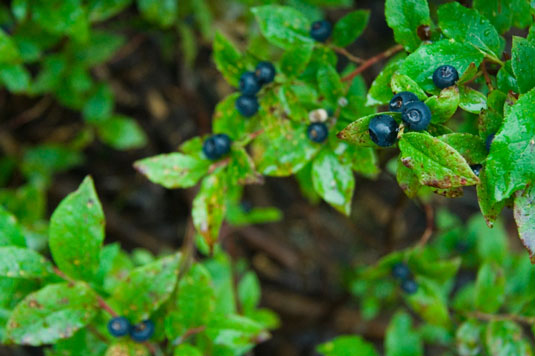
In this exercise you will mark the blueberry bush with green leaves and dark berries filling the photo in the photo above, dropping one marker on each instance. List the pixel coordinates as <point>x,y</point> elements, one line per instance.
<point>451,110</point>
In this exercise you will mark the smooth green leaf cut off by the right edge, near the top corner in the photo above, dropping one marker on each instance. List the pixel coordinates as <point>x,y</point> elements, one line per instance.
<point>522,53</point>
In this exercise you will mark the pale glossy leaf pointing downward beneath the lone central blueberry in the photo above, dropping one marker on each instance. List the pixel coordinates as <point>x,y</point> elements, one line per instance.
<point>333,181</point>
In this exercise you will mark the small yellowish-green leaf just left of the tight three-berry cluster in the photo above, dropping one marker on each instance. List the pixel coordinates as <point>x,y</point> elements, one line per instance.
<point>228,59</point>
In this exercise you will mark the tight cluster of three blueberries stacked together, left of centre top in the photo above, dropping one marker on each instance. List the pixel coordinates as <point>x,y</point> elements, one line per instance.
<point>250,85</point>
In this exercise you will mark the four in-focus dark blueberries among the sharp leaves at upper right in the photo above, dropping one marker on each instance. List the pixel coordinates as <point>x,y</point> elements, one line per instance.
<point>415,114</point>
